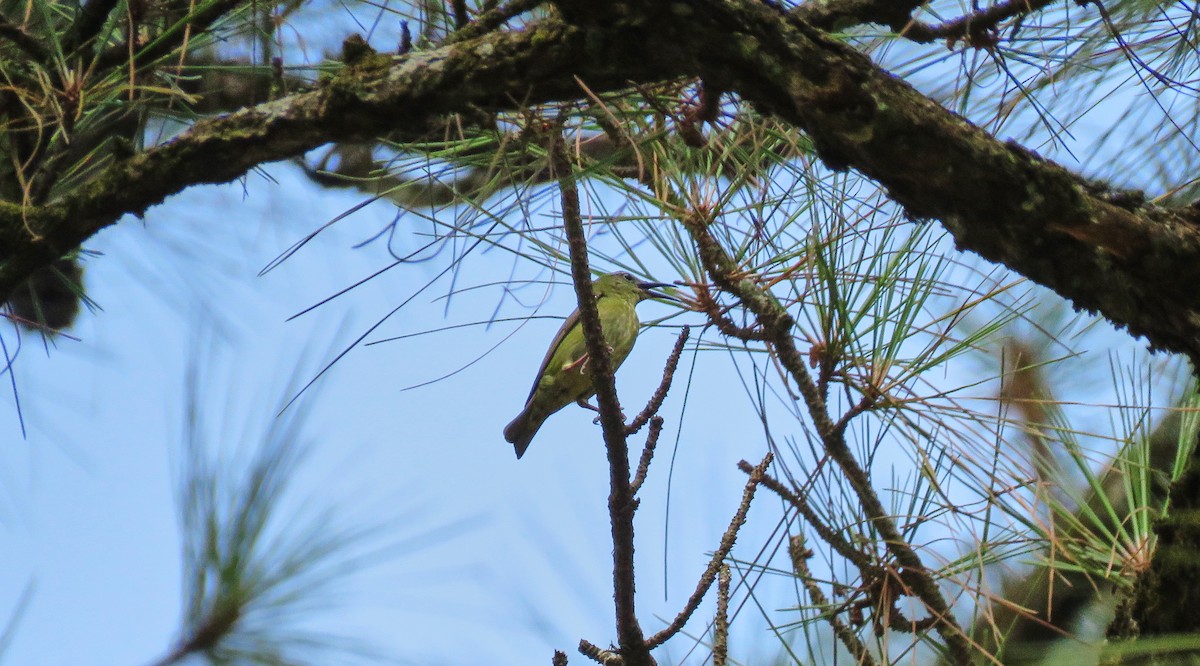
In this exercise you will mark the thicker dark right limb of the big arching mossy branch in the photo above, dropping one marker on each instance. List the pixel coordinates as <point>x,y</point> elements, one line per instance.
<point>1136,266</point>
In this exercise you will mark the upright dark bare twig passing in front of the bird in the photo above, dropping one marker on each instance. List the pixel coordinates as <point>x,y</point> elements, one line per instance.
<point>621,499</point>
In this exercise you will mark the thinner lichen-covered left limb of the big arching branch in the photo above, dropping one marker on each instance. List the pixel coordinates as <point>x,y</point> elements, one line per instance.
<point>381,95</point>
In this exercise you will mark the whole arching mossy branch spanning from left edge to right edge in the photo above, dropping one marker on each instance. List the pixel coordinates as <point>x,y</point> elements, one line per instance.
<point>1133,263</point>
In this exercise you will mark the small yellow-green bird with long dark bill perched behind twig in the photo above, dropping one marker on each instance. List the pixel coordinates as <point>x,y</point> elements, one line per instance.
<point>565,376</point>
